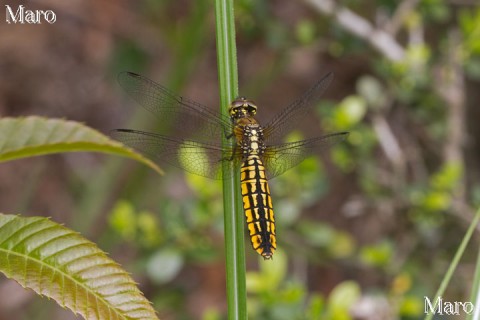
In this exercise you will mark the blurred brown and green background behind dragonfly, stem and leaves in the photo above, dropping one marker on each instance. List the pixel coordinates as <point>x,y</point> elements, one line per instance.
<point>366,230</point>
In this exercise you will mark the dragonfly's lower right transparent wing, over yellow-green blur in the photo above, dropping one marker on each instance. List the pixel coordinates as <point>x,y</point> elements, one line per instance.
<point>280,158</point>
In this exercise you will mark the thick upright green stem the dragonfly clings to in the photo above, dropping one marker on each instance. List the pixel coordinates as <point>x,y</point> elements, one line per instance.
<point>234,233</point>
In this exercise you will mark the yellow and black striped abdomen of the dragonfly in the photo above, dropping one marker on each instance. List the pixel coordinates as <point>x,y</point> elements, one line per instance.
<point>257,205</point>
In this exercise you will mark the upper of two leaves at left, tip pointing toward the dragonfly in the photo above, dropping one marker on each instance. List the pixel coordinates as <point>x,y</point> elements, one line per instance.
<point>34,136</point>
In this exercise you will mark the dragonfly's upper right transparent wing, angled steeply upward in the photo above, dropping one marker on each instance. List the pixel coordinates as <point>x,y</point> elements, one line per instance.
<point>286,120</point>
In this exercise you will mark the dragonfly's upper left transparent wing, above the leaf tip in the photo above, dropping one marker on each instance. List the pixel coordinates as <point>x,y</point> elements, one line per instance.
<point>177,116</point>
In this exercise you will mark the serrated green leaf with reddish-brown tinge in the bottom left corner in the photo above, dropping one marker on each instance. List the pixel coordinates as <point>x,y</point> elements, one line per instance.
<point>59,263</point>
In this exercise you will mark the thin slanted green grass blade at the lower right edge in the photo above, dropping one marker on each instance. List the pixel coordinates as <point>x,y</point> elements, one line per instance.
<point>454,263</point>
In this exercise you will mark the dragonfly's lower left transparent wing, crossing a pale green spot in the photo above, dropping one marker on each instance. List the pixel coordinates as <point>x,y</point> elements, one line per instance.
<point>195,157</point>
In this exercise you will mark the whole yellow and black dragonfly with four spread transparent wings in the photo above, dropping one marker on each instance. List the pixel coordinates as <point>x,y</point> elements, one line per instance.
<point>190,137</point>
